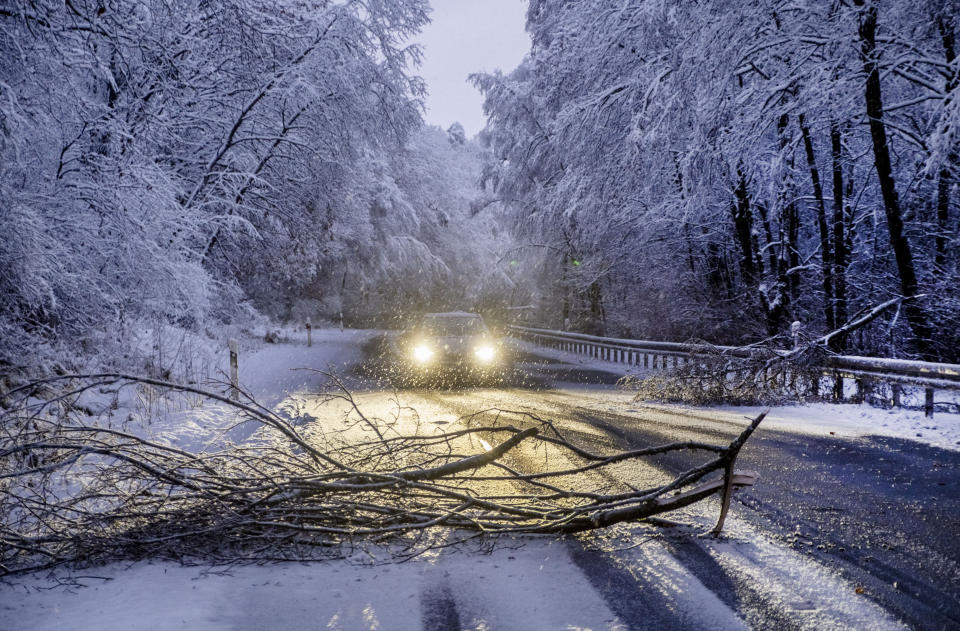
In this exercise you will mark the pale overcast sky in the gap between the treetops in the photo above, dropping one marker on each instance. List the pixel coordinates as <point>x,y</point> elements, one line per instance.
<point>468,36</point>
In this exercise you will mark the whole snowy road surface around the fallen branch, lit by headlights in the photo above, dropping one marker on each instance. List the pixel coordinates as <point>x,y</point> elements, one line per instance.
<point>850,527</point>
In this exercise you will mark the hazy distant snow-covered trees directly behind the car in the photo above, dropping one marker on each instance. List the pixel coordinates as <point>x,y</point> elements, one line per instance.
<point>425,244</point>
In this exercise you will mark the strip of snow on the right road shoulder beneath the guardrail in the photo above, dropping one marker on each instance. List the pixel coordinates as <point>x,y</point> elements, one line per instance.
<point>821,419</point>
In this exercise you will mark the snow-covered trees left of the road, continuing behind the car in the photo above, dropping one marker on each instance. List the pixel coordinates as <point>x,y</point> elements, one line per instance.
<point>189,164</point>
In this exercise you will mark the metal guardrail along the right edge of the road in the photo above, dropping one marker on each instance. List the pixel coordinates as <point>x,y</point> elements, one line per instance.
<point>865,372</point>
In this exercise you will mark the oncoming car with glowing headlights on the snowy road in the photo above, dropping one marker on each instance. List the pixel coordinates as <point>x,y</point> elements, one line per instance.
<point>454,344</point>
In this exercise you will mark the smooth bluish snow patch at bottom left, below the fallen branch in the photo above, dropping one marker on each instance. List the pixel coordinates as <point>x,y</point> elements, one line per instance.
<point>532,587</point>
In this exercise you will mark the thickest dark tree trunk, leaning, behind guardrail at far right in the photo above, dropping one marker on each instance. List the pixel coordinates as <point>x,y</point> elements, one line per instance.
<point>916,316</point>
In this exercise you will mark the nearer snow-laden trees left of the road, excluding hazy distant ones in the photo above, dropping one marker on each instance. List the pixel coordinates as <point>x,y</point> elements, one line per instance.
<point>161,161</point>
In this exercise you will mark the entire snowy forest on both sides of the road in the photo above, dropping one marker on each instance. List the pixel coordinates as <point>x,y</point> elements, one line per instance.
<point>653,169</point>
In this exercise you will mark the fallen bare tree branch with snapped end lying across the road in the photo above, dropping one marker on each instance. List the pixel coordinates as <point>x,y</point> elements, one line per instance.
<point>77,490</point>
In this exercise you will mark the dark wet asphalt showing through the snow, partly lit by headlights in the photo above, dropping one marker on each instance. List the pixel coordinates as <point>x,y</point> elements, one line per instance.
<point>881,515</point>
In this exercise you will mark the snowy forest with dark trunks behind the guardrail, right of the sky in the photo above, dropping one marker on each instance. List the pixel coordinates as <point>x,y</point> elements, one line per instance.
<point>721,170</point>
